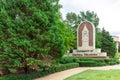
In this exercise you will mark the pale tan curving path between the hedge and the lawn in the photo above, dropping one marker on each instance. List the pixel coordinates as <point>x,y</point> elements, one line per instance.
<point>64,74</point>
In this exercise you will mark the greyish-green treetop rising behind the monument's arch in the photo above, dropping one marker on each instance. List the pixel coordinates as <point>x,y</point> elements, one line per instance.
<point>73,19</point>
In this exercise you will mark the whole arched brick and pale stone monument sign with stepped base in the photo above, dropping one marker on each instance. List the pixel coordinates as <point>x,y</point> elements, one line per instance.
<point>86,42</point>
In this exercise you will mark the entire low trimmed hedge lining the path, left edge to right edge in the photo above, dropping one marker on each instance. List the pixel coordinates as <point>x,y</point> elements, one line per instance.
<point>65,63</point>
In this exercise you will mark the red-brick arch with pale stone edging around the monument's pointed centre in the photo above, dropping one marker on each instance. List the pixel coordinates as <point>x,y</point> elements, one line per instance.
<point>91,33</point>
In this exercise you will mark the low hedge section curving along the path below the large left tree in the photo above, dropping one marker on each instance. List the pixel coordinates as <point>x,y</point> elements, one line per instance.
<point>42,72</point>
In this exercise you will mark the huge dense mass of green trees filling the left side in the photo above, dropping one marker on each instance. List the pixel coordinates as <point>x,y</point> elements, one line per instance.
<point>31,32</point>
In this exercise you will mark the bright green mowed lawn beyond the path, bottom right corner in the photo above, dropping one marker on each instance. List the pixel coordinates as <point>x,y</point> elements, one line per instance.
<point>96,75</point>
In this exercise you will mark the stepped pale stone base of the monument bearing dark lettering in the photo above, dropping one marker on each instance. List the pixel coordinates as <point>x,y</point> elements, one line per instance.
<point>96,53</point>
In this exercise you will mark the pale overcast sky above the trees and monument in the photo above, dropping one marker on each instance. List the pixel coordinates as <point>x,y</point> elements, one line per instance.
<point>108,12</point>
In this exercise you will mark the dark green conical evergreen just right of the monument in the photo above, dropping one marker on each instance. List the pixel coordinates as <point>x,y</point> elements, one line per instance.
<point>107,43</point>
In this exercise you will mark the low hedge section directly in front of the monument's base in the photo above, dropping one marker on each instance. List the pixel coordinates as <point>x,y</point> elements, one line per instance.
<point>89,62</point>
